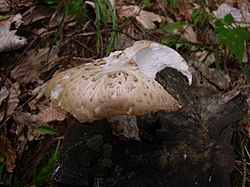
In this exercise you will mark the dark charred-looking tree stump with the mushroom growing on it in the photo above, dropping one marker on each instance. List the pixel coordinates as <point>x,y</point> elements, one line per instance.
<point>190,147</point>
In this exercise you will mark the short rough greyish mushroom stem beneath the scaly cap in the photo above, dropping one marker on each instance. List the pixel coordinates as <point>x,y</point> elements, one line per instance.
<point>125,126</point>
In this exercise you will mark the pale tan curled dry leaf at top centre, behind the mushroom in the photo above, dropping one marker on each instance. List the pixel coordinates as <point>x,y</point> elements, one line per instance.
<point>146,18</point>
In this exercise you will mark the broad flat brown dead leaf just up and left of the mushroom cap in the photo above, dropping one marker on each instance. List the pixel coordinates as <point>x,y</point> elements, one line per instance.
<point>34,64</point>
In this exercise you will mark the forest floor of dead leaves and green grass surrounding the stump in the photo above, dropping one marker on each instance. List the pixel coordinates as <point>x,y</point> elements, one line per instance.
<point>40,39</point>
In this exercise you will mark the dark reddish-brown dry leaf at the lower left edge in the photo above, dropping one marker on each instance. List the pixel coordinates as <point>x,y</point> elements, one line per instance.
<point>8,152</point>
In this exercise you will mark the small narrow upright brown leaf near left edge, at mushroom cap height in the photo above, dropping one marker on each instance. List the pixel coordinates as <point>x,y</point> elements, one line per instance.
<point>13,100</point>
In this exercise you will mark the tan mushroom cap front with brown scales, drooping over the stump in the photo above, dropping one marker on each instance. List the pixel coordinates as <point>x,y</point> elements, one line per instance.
<point>99,90</point>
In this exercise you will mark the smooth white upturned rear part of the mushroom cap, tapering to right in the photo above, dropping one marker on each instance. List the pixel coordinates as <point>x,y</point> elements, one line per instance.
<point>152,57</point>
